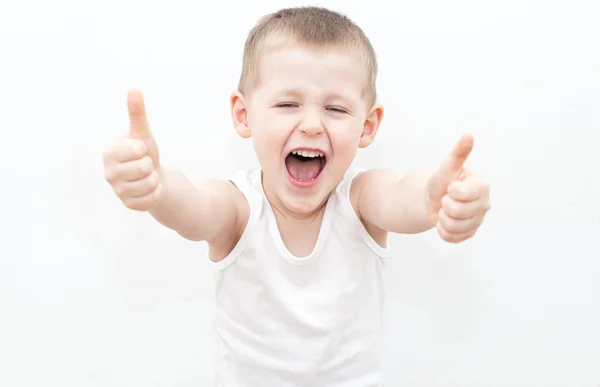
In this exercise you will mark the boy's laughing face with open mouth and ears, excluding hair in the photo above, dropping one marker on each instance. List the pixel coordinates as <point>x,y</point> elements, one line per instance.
<point>307,116</point>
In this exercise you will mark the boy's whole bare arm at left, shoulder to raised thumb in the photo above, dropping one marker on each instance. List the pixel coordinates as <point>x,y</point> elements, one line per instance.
<point>214,212</point>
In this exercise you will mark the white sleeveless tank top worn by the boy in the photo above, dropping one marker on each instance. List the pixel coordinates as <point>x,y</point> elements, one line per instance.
<point>284,321</point>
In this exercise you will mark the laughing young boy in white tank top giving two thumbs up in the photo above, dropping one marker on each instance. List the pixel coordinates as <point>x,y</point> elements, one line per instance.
<point>298,245</point>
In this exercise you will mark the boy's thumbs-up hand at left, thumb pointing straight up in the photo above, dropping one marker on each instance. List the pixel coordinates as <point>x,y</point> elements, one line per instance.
<point>131,163</point>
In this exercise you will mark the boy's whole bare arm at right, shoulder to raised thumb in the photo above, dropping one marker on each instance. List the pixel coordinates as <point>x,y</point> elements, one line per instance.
<point>452,199</point>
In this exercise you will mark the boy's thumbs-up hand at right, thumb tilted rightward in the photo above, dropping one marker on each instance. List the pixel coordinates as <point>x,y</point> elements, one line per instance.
<point>457,198</point>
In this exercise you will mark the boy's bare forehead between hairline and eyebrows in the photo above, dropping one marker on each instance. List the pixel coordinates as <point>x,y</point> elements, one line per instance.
<point>331,70</point>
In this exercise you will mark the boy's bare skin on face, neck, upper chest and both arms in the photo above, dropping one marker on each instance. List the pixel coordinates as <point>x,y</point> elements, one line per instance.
<point>304,98</point>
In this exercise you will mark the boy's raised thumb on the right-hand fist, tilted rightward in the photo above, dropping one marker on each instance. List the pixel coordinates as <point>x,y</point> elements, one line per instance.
<point>451,168</point>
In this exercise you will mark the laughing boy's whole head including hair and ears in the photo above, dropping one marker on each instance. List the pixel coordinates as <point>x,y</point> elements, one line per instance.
<point>308,86</point>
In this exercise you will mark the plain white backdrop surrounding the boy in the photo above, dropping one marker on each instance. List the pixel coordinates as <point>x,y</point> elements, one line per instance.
<point>95,295</point>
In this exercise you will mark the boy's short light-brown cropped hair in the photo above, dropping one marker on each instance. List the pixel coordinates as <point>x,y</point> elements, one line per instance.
<point>315,27</point>
